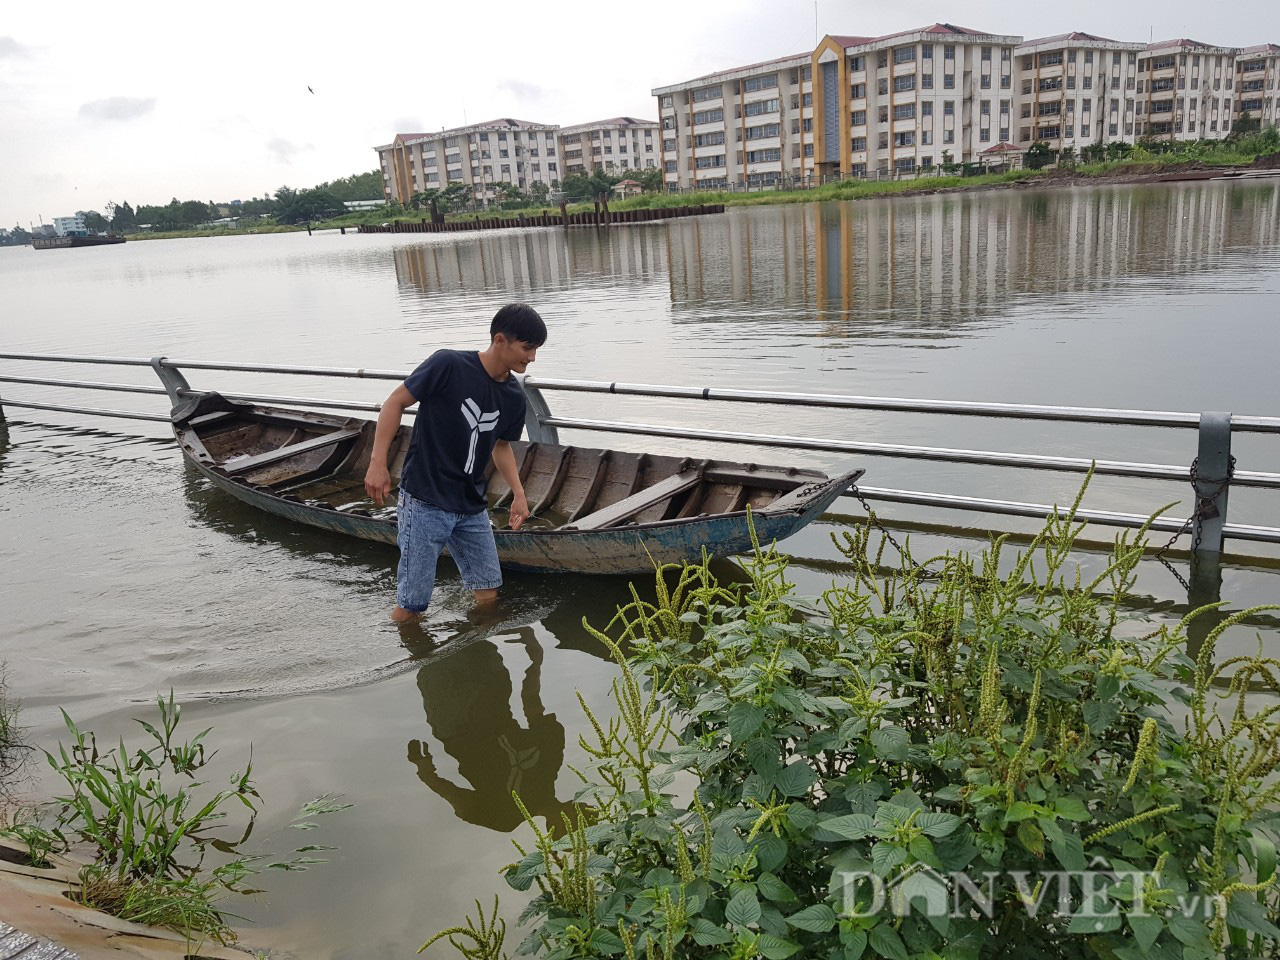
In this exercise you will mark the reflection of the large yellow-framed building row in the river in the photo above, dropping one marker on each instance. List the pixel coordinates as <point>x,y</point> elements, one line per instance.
<point>915,267</point>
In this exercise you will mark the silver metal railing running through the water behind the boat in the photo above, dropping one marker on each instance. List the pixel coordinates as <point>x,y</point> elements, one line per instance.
<point>1214,463</point>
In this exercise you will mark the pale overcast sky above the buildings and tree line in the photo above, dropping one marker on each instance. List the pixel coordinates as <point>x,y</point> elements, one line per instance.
<point>145,102</point>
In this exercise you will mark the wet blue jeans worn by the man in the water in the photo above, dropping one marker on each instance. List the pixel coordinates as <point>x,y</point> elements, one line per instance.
<point>423,532</point>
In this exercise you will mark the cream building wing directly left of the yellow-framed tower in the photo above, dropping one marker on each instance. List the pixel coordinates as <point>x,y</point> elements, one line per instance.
<point>747,126</point>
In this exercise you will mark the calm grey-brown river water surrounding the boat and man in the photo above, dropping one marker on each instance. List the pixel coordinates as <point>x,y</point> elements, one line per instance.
<point>122,574</point>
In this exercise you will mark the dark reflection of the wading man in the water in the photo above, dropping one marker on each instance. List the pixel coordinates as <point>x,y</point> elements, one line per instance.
<point>468,703</point>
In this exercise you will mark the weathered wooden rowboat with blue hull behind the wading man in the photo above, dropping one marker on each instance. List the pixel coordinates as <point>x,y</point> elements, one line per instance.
<point>595,511</point>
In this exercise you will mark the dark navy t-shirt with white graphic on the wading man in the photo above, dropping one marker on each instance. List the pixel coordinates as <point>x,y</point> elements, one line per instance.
<point>463,413</point>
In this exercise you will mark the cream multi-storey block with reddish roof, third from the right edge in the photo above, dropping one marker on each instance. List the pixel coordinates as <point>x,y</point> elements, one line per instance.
<point>1076,90</point>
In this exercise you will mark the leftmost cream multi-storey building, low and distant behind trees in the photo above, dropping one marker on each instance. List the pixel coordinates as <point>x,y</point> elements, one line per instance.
<point>482,156</point>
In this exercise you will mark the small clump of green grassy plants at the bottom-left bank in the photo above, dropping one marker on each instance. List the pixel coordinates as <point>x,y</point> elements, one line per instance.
<point>150,825</point>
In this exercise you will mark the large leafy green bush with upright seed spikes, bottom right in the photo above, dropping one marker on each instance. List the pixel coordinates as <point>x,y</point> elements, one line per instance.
<point>970,757</point>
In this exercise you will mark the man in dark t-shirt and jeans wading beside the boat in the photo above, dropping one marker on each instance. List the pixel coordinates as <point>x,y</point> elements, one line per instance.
<point>470,409</point>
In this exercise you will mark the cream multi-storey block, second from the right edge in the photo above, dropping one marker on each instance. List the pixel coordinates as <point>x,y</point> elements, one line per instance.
<point>1185,92</point>
